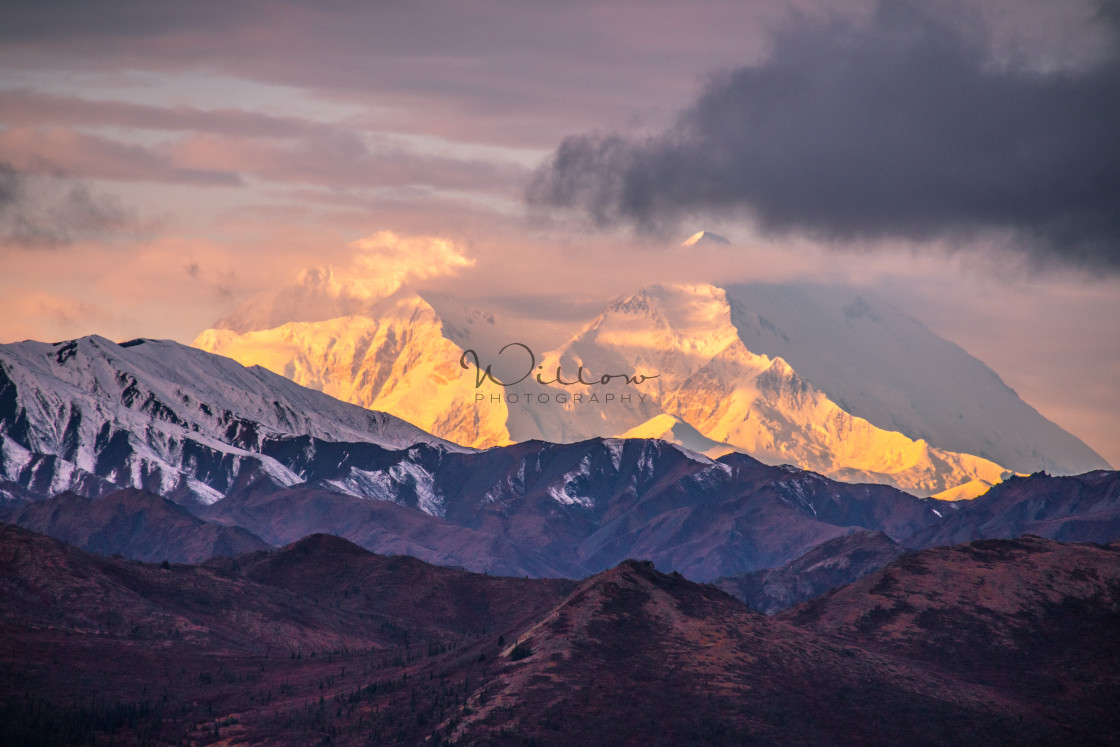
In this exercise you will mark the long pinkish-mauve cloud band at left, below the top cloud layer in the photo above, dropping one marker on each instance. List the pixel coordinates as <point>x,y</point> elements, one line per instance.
<point>222,147</point>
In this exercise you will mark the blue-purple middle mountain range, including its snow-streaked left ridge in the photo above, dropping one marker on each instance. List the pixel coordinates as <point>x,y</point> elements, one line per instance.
<point>186,455</point>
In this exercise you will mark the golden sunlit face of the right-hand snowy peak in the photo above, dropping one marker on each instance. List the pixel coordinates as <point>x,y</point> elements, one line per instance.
<point>711,380</point>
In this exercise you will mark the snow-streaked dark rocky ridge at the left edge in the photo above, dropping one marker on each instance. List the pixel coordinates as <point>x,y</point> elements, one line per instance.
<point>94,416</point>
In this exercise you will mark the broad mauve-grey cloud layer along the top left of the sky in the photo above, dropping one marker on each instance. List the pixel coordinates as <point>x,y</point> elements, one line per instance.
<point>510,74</point>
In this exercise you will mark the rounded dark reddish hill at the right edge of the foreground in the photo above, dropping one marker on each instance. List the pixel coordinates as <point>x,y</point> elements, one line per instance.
<point>1030,617</point>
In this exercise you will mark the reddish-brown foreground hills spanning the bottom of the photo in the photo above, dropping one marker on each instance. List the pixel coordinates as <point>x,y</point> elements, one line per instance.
<point>322,642</point>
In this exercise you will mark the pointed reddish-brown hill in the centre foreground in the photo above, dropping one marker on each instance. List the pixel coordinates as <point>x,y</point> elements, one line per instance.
<point>636,657</point>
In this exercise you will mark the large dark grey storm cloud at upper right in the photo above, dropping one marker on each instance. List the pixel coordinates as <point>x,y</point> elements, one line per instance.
<point>906,127</point>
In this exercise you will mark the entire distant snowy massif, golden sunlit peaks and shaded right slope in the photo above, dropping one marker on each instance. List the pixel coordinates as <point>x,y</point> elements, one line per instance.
<point>818,378</point>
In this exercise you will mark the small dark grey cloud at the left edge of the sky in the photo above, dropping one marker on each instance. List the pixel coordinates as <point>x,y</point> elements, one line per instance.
<point>42,213</point>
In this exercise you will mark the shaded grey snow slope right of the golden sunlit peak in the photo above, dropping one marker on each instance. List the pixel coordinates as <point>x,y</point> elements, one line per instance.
<point>878,363</point>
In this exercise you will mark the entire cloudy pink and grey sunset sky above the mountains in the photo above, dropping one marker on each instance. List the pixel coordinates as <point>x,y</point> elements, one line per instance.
<point>162,165</point>
